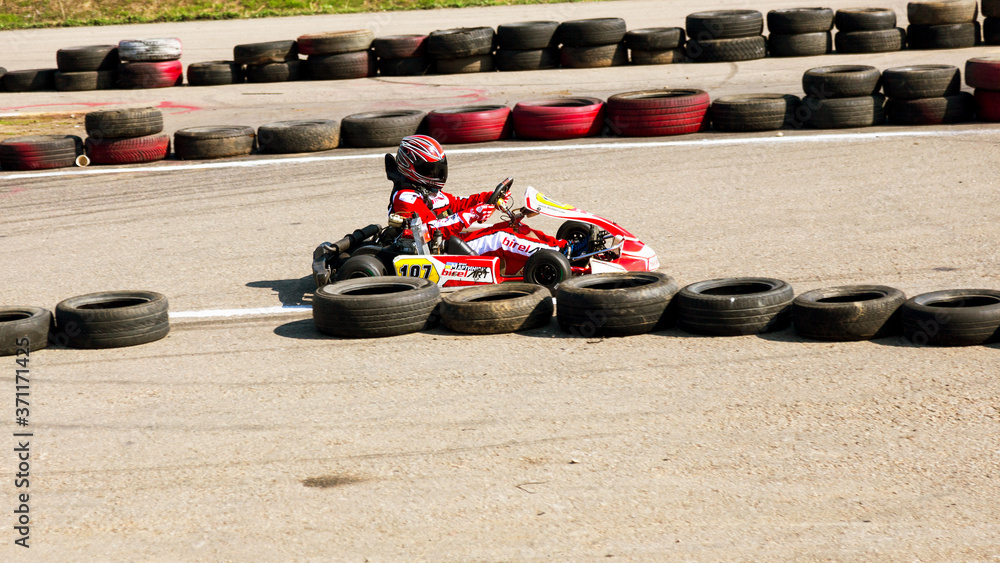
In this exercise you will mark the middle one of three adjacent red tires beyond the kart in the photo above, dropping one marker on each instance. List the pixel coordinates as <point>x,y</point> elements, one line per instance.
<point>558,118</point>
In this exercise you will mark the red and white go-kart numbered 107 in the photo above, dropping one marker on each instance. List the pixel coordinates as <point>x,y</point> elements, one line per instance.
<point>405,248</point>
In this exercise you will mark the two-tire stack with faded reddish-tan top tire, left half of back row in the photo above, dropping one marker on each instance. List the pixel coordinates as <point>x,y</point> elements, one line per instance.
<point>338,55</point>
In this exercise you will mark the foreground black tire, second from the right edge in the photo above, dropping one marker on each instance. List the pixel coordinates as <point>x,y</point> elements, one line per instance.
<point>848,313</point>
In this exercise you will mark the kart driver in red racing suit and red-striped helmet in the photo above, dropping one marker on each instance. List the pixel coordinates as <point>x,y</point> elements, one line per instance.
<point>423,167</point>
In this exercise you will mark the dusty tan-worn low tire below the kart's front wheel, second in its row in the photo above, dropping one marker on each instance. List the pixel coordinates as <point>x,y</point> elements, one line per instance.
<point>497,309</point>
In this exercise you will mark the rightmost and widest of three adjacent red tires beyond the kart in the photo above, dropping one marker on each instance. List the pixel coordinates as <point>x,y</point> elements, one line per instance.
<point>653,113</point>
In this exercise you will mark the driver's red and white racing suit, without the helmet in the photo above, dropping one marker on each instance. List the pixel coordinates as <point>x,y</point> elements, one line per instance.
<point>449,215</point>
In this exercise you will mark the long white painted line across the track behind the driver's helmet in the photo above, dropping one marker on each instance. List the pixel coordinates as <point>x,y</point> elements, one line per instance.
<point>789,139</point>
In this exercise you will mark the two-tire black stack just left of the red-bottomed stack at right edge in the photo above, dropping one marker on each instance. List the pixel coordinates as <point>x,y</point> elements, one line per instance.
<point>926,95</point>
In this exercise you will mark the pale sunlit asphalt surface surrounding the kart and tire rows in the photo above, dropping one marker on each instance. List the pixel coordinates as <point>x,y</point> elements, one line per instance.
<point>436,446</point>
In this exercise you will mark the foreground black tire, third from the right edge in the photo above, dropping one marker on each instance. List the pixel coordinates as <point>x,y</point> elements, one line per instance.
<point>735,306</point>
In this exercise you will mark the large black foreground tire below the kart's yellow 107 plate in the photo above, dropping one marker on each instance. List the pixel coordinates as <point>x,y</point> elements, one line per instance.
<point>344,309</point>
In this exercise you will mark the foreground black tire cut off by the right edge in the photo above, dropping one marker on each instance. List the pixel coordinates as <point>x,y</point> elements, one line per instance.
<point>956,317</point>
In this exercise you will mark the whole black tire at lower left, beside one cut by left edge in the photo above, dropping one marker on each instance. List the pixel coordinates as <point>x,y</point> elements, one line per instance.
<point>113,319</point>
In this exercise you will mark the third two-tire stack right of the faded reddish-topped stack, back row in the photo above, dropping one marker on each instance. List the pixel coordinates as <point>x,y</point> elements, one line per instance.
<point>530,45</point>
